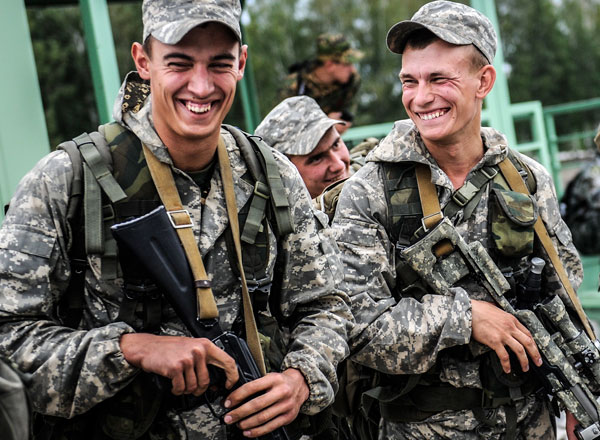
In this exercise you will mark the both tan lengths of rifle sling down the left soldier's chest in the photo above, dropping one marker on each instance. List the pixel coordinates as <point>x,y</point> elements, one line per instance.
<point>182,222</point>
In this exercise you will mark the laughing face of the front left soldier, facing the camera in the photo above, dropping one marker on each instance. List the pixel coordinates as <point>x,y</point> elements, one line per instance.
<point>193,82</point>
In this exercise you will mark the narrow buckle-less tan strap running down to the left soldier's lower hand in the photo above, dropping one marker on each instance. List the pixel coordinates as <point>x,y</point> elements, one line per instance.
<point>249,321</point>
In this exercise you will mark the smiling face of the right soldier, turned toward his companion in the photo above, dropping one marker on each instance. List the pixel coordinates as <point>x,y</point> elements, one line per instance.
<point>443,93</point>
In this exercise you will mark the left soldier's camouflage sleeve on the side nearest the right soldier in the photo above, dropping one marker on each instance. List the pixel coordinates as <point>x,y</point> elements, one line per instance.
<point>318,311</point>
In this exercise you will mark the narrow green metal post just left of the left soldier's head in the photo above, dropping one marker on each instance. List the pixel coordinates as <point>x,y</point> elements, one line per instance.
<point>101,51</point>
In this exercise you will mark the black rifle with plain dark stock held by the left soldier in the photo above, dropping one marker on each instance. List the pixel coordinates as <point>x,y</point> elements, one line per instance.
<point>149,249</point>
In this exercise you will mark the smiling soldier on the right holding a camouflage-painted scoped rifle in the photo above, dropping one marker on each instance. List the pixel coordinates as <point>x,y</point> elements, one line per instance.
<point>442,354</point>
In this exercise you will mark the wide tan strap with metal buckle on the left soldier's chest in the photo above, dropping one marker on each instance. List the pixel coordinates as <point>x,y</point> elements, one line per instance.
<point>182,222</point>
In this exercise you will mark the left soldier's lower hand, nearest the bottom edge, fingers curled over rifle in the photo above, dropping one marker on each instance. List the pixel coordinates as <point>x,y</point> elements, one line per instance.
<point>283,395</point>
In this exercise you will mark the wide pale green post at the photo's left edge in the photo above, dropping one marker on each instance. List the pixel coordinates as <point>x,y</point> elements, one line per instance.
<point>23,133</point>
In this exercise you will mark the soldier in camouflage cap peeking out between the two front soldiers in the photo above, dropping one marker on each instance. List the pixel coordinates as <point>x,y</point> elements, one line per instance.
<point>298,128</point>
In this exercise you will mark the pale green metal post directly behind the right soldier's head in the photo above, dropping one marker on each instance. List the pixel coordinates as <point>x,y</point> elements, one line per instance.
<point>498,100</point>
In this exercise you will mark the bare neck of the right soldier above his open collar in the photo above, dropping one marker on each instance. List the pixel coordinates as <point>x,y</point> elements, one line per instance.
<point>457,159</point>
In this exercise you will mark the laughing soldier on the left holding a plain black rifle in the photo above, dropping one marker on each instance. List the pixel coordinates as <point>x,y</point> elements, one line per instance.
<point>98,380</point>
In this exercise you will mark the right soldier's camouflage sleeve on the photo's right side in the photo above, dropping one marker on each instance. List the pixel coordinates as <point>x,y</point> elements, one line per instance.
<point>560,234</point>
